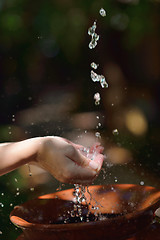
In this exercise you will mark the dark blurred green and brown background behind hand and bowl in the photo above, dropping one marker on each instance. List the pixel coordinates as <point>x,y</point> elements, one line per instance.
<point>46,89</point>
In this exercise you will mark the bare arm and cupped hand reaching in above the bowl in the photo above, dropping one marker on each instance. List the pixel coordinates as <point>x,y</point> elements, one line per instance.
<point>60,157</point>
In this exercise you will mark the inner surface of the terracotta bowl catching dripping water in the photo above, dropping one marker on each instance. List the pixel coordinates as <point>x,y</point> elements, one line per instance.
<point>112,201</point>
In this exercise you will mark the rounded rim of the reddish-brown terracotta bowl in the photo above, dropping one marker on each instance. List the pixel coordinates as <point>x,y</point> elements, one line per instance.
<point>23,224</point>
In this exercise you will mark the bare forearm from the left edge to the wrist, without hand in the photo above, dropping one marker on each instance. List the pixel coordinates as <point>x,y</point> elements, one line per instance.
<point>14,155</point>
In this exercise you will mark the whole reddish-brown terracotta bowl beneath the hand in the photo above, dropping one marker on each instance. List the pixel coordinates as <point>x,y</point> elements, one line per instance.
<point>125,208</point>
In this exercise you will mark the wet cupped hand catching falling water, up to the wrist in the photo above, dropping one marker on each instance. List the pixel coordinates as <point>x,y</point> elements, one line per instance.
<point>69,162</point>
